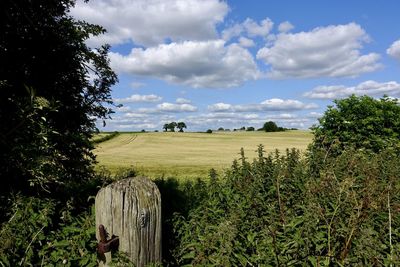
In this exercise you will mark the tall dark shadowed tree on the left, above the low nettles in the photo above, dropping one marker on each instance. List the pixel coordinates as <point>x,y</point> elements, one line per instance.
<point>48,104</point>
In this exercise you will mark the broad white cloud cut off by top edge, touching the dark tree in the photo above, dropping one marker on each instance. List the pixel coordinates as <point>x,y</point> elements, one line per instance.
<point>150,22</point>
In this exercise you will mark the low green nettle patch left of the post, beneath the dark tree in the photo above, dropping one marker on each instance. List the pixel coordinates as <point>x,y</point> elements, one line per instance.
<point>41,232</point>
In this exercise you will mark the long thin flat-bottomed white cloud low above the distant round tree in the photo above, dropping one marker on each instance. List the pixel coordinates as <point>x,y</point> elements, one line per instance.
<point>274,104</point>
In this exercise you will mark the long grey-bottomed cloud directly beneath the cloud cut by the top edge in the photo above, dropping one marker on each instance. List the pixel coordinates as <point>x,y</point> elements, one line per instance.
<point>208,64</point>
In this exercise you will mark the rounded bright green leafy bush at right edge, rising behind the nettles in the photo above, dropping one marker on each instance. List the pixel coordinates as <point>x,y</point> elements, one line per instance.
<point>359,122</point>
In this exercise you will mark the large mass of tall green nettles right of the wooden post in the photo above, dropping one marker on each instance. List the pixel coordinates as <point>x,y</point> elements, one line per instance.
<point>276,211</point>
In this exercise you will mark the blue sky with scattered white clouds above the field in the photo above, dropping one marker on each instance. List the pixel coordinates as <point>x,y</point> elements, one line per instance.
<point>213,63</point>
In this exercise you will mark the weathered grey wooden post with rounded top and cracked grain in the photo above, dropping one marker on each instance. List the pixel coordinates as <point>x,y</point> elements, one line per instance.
<point>131,210</point>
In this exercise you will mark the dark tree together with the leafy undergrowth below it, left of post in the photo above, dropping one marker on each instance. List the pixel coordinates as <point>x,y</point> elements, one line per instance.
<point>48,107</point>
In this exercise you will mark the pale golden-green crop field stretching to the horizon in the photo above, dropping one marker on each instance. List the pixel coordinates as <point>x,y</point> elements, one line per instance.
<point>189,155</point>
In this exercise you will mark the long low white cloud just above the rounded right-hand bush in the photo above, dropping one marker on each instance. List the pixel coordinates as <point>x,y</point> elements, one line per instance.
<point>371,88</point>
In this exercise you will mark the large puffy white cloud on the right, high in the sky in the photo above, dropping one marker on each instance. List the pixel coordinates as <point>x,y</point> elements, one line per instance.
<point>332,51</point>
